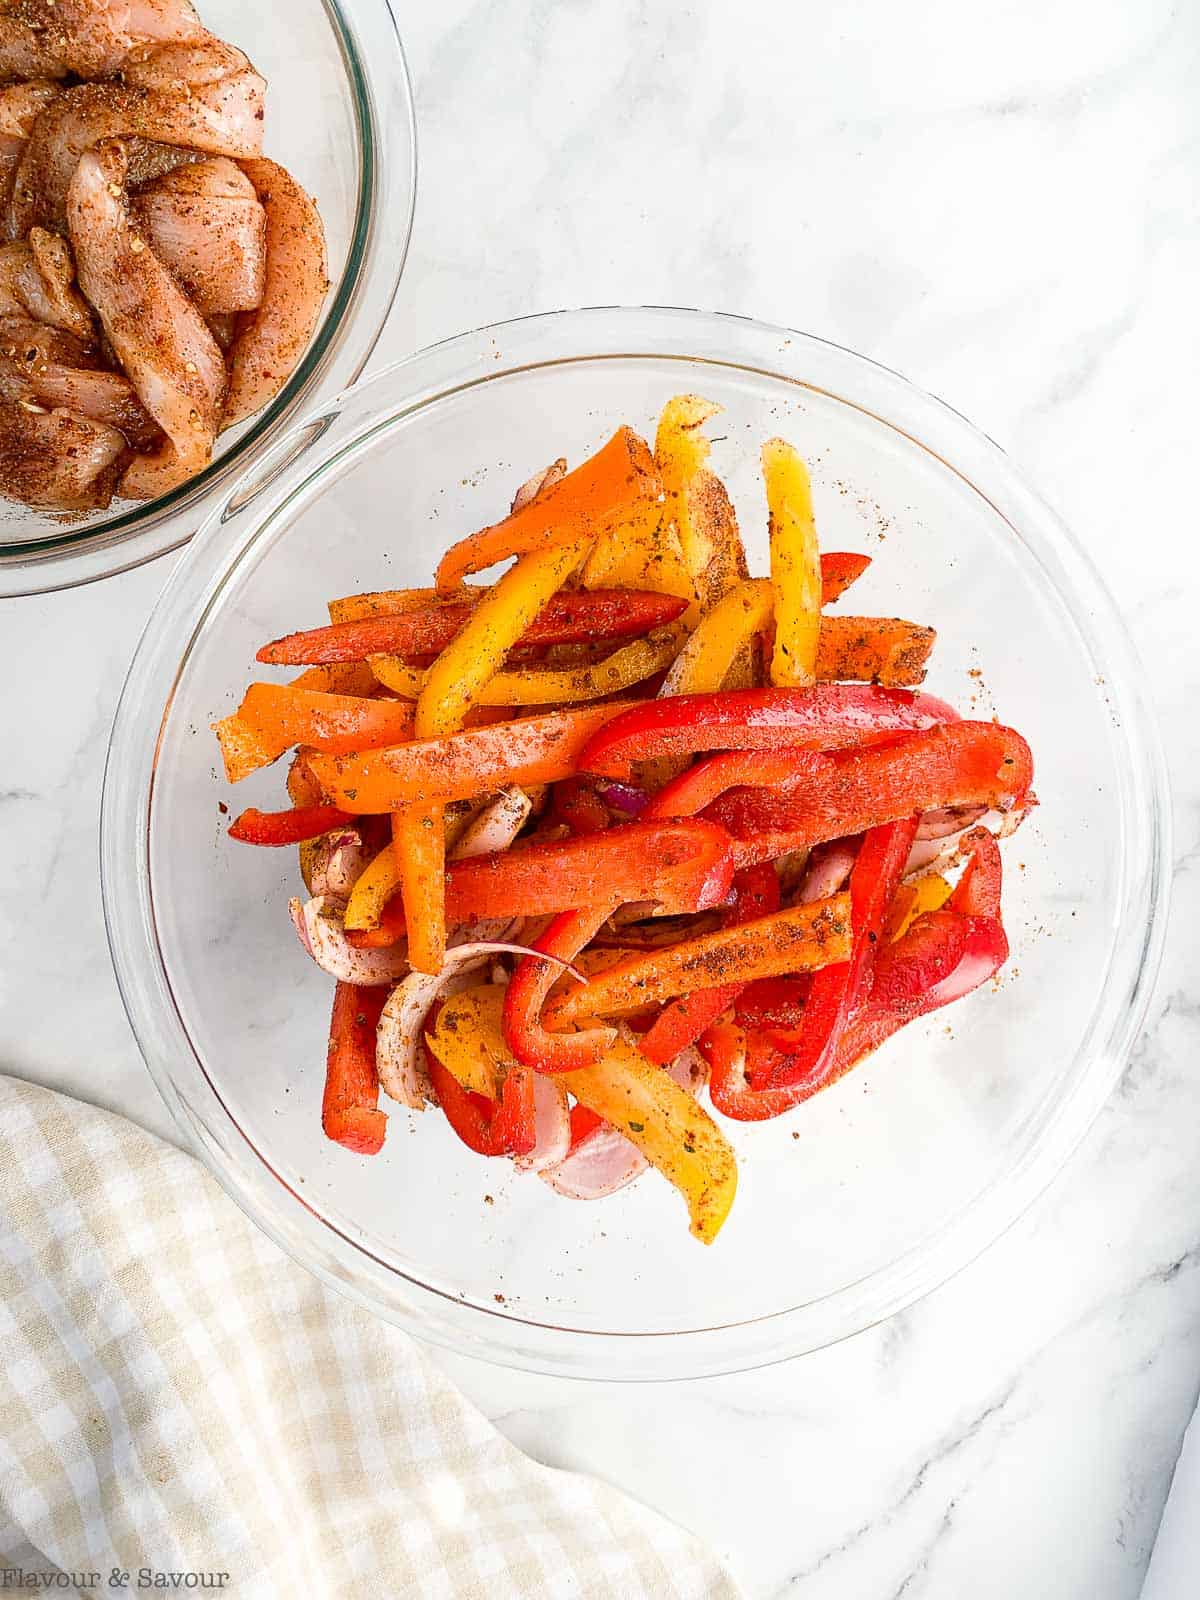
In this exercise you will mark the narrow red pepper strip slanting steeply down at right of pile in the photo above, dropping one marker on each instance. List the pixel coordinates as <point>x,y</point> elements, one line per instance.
<point>838,991</point>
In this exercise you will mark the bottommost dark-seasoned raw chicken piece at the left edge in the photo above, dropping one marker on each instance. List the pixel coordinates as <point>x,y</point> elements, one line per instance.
<point>57,462</point>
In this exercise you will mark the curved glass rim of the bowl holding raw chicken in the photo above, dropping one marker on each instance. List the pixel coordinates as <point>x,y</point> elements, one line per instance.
<point>353,321</point>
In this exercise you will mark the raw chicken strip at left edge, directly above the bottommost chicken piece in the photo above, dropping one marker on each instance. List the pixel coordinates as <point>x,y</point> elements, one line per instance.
<point>57,370</point>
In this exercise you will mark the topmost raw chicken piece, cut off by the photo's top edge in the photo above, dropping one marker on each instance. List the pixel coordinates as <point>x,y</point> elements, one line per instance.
<point>49,39</point>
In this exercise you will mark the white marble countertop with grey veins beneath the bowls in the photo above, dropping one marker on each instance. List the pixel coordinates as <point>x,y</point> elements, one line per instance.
<point>1002,202</point>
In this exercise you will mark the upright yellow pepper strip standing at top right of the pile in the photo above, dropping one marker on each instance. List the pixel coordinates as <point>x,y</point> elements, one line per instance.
<point>796,566</point>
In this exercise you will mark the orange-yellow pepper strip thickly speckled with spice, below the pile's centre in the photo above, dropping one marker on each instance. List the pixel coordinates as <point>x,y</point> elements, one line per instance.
<point>802,938</point>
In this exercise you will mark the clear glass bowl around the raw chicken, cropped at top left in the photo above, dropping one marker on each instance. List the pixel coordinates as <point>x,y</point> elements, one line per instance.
<point>340,116</point>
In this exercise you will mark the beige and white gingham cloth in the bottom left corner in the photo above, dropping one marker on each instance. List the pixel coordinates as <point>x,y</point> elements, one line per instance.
<point>178,1398</point>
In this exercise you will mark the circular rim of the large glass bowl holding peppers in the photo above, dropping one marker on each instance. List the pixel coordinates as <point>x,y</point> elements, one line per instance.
<point>465,362</point>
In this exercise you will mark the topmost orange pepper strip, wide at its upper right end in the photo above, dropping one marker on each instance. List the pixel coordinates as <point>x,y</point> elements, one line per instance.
<point>612,489</point>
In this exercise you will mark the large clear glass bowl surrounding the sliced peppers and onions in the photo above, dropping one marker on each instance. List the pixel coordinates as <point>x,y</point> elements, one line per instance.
<point>874,1191</point>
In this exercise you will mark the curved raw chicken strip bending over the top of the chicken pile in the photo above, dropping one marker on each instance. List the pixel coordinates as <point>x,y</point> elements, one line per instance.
<point>202,97</point>
